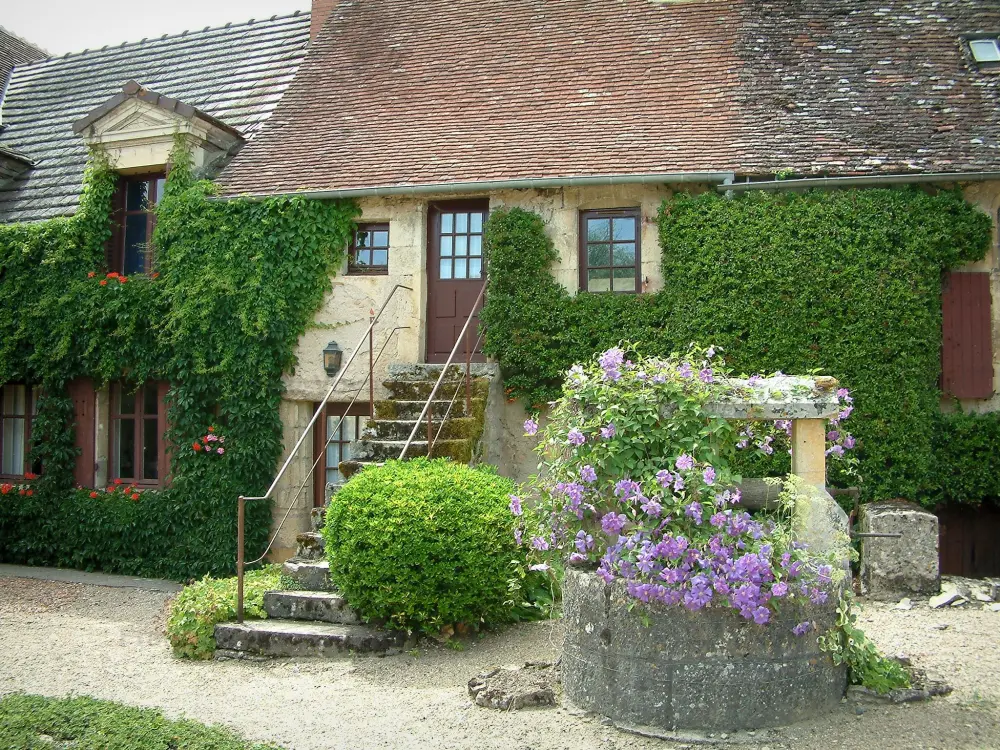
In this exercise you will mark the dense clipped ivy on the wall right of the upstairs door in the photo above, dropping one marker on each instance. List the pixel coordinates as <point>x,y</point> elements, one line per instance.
<point>844,281</point>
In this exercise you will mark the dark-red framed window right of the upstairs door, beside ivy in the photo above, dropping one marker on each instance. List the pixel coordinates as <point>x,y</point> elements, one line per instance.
<point>609,250</point>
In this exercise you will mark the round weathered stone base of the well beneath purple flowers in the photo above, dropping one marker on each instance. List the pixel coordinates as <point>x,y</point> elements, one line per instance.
<point>692,670</point>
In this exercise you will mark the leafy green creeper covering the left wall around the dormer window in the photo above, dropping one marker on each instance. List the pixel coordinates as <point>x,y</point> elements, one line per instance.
<point>237,283</point>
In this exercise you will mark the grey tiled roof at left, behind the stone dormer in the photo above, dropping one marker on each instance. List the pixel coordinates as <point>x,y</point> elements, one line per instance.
<point>235,73</point>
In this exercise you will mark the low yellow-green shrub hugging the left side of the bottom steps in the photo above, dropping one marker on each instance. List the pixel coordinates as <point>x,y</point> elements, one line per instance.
<point>197,609</point>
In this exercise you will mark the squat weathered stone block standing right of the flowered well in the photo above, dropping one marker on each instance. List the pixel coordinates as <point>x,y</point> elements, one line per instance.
<point>890,567</point>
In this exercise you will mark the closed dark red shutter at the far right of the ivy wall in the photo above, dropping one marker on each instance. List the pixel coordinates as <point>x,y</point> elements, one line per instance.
<point>967,341</point>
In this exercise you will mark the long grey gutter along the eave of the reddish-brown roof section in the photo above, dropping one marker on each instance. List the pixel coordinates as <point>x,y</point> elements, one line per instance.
<point>484,186</point>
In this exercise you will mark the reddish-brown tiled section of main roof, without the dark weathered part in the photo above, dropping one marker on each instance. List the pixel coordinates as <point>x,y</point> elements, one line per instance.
<point>403,92</point>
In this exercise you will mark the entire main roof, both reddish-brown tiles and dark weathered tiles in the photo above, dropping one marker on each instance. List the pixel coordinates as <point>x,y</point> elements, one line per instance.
<point>406,92</point>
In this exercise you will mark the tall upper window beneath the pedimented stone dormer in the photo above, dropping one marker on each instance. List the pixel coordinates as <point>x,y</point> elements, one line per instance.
<point>135,219</point>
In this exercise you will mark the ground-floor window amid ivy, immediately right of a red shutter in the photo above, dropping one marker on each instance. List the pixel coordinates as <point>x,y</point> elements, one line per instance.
<point>138,451</point>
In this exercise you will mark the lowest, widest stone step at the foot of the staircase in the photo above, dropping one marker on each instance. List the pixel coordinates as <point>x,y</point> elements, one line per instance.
<point>299,638</point>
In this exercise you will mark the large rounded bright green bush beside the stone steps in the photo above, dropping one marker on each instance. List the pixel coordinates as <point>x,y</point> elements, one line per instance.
<point>424,543</point>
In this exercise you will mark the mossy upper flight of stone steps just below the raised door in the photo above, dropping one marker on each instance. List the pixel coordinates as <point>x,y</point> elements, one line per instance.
<point>409,387</point>
